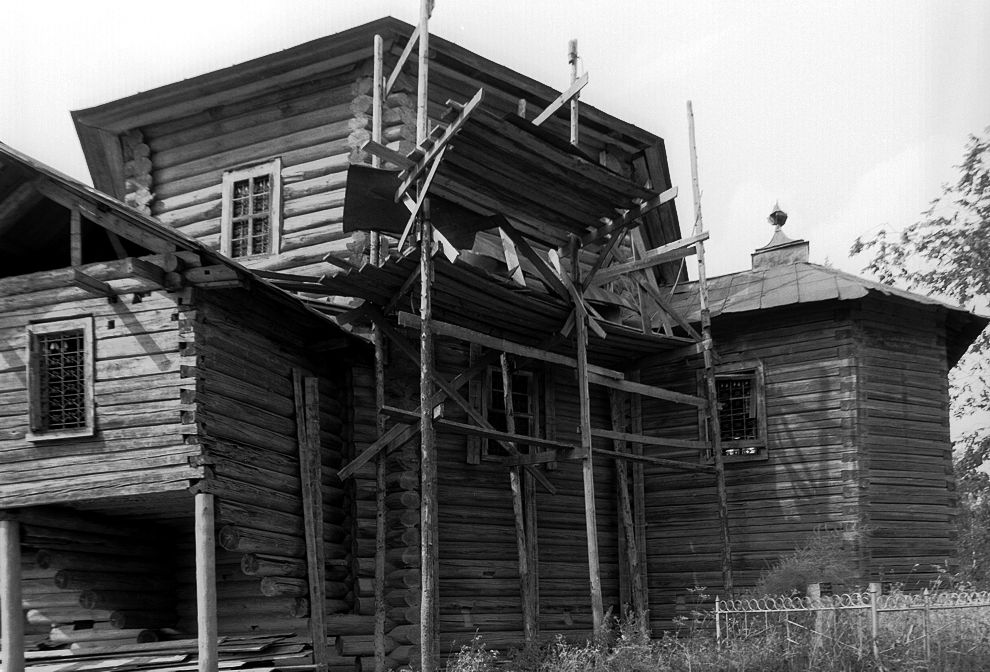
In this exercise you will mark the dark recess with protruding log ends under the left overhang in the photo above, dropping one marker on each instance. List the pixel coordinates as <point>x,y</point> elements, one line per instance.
<point>94,582</point>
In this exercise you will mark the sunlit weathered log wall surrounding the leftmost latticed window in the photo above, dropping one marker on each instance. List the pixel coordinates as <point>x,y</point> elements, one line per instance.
<point>139,355</point>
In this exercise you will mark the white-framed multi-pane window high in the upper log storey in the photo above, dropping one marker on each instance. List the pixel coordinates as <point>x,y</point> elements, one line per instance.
<point>251,220</point>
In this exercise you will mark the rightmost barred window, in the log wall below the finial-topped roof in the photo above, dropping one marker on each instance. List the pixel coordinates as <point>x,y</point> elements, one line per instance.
<point>741,410</point>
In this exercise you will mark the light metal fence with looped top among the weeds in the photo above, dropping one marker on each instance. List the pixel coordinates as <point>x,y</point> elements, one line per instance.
<point>940,630</point>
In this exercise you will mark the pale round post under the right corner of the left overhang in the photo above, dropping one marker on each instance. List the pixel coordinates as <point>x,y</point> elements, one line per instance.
<point>206,582</point>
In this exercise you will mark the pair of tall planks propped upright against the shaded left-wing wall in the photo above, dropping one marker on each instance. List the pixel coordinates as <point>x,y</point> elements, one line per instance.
<point>307,402</point>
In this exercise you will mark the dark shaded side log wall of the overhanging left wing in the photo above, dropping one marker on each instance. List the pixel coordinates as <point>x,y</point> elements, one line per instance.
<point>246,419</point>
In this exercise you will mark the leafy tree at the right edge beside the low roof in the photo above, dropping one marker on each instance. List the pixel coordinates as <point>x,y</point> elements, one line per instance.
<point>947,253</point>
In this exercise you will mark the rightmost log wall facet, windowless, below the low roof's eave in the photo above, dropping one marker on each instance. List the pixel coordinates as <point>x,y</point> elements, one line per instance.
<point>909,497</point>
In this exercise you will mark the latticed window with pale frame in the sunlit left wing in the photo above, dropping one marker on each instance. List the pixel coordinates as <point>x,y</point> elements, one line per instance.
<point>60,378</point>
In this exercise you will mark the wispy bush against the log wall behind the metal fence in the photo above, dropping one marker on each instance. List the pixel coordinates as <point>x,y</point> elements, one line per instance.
<point>825,557</point>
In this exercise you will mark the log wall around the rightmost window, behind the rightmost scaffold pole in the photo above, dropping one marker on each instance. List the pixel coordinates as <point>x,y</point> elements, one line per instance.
<point>809,481</point>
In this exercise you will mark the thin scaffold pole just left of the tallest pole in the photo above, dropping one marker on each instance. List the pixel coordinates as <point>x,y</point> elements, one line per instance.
<point>379,340</point>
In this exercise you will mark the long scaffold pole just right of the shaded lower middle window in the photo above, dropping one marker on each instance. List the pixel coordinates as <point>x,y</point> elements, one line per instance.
<point>590,512</point>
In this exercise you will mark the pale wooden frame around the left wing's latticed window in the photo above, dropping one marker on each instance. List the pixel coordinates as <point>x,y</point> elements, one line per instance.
<point>36,430</point>
